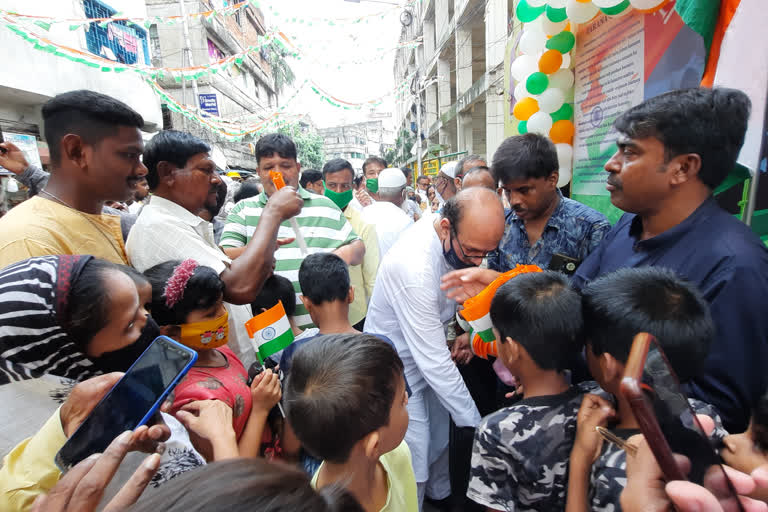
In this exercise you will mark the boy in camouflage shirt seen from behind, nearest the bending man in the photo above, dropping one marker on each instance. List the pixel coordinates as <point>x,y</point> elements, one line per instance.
<point>520,454</point>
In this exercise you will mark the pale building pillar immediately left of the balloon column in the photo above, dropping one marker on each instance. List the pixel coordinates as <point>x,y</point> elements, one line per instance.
<point>496,41</point>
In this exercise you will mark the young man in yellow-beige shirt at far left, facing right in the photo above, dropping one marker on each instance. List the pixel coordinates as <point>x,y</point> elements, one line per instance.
<point>95,144</point>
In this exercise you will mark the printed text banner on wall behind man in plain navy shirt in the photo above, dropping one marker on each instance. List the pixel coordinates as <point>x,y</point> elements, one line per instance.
<point>619,62</point>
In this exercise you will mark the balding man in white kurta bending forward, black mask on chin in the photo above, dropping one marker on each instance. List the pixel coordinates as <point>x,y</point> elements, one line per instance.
<point>408,307</point>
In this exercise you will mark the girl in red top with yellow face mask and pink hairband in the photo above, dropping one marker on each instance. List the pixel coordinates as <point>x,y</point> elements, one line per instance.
<point>188,304</point>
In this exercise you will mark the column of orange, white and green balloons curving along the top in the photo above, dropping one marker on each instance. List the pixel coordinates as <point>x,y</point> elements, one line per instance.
<point>543,68</point>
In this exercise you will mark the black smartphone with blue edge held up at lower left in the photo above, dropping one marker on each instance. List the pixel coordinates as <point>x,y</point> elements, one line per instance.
<point>133,400</point>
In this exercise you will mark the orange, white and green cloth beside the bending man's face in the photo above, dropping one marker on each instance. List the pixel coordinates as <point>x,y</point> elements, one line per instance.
<point>477,311</point>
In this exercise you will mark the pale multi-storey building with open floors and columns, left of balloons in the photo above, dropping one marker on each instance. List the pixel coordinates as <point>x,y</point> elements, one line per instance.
<point>457,73</point>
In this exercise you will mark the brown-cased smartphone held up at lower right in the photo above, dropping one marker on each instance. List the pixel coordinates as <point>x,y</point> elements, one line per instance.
<point>664,414</point>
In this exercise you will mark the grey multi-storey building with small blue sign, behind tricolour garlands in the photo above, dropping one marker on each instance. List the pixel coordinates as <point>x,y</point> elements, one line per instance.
<point>245,92</point>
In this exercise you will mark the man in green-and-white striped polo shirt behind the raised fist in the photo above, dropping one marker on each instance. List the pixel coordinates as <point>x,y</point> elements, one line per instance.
<point>323,225</point>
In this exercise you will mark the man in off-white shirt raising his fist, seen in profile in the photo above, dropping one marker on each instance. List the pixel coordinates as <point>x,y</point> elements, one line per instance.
<point>184,180</point>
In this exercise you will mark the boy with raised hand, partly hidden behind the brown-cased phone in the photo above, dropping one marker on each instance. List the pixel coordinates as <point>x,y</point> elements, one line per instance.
<point>616,308</point>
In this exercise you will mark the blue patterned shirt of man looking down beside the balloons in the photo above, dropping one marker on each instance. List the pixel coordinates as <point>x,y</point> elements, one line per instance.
<point>573,230</point>
